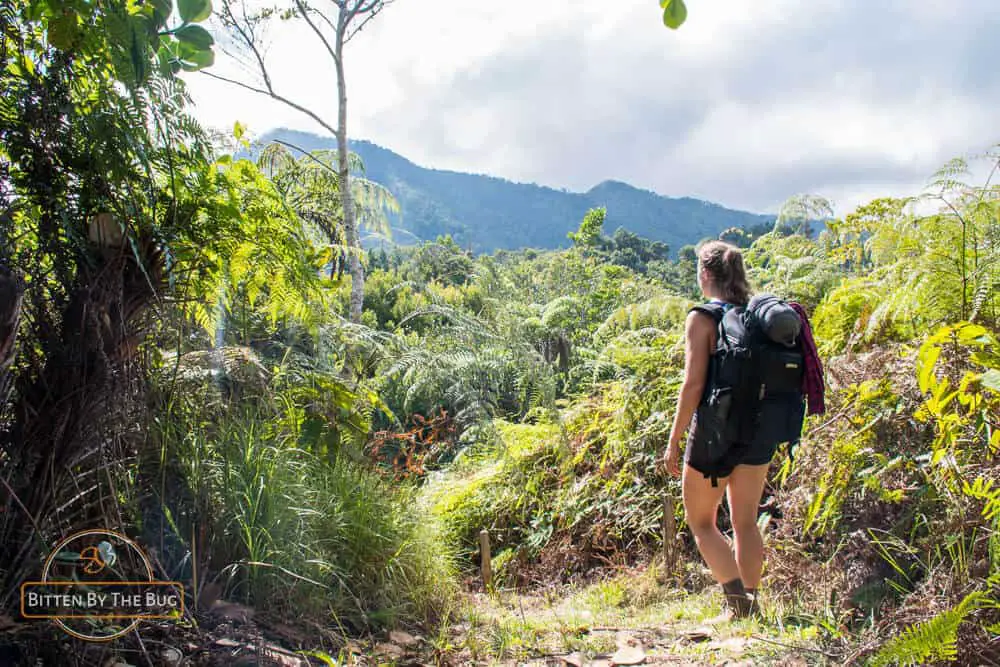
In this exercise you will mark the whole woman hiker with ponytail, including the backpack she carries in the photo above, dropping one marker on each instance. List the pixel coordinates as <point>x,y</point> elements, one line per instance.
<point>741,471</point>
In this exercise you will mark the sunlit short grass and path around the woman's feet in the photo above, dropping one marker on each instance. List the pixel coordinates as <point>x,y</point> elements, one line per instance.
<point>593,621</point>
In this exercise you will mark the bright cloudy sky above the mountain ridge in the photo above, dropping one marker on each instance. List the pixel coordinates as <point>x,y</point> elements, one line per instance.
<point>748,104</point>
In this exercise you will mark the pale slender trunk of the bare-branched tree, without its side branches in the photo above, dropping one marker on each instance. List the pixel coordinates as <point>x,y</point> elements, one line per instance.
<point>346,196</point>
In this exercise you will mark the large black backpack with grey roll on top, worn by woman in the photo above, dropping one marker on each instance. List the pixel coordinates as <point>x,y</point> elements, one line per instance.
<point>753,394</point>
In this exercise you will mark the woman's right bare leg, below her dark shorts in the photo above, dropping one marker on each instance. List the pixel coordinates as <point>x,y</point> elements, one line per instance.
<point>746,485</point>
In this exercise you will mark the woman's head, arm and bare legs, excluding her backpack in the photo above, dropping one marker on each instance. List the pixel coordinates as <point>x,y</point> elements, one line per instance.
<point>722,279</point>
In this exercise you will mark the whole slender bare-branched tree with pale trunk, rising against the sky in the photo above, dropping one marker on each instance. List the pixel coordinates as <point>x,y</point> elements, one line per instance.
<point>334,23</point>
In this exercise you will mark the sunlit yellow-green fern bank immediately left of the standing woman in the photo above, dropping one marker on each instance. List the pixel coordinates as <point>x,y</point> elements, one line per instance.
<point>588,480</point>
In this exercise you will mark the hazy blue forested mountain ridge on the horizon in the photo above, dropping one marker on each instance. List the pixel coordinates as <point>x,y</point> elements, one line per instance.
<point>485,213</point>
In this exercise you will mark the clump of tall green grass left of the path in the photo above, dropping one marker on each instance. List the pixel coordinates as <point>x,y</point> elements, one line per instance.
<point>280,527</point>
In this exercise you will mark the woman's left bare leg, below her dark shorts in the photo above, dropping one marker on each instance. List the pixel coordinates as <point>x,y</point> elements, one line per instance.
<point>701,504</point>
